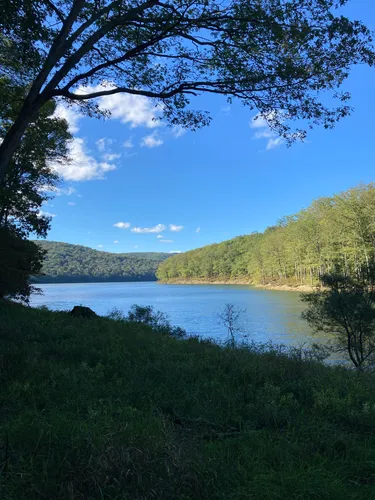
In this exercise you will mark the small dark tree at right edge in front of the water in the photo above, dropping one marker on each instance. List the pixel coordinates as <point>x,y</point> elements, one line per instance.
<point>345,309</point>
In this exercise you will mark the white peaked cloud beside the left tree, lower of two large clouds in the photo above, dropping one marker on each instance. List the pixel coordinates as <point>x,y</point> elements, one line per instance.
<point>81,166</point>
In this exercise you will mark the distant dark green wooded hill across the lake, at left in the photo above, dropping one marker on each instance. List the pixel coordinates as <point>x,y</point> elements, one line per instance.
<point>66,263</point>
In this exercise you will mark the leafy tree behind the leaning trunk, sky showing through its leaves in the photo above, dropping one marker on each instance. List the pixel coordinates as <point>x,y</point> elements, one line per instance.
<point>30,176</point>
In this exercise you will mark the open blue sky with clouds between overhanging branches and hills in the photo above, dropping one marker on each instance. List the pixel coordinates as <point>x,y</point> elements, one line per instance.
<point>179,191</point>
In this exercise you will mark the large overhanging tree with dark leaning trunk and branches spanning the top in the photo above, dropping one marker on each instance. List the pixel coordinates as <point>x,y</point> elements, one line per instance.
<point>275,56</point>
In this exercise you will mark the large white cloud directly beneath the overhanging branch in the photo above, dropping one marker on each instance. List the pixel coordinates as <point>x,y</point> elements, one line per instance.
<point>132,109</point>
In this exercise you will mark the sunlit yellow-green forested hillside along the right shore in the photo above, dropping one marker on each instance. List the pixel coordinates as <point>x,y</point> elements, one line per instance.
<point>335,233</point>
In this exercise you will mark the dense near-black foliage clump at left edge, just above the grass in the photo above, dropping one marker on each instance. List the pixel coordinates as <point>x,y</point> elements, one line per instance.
<point>19,259</point>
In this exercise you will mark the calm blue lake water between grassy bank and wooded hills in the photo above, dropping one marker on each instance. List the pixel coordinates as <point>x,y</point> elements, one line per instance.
<point>270,315</point>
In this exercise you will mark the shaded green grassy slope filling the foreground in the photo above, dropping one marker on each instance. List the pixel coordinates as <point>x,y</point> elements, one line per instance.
<point>99,409</point>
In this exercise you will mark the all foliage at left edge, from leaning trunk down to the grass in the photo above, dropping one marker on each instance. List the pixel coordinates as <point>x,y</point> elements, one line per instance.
<point>25,188</point>
